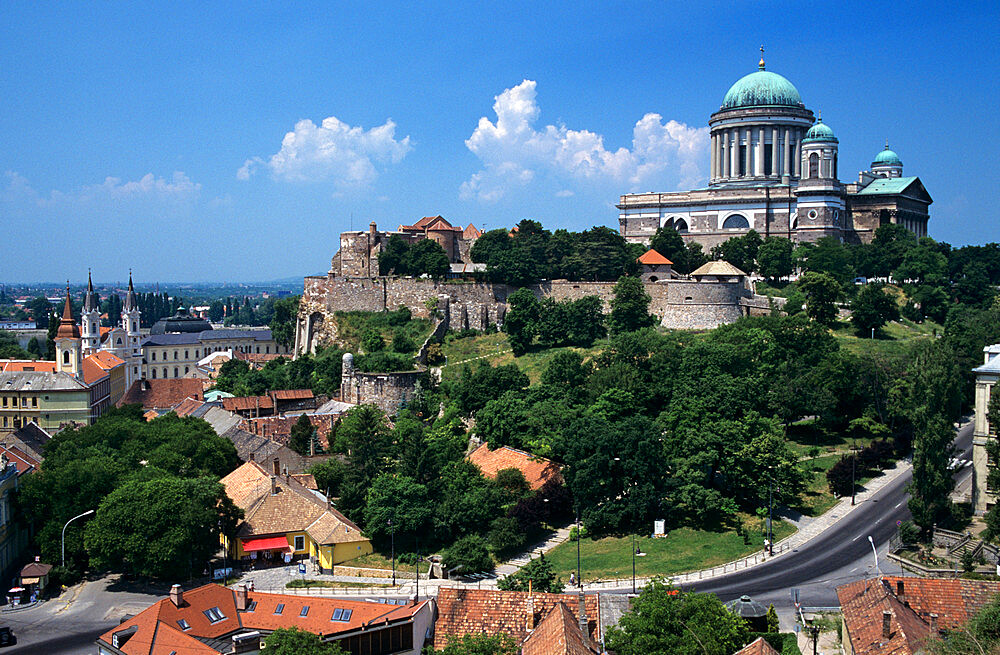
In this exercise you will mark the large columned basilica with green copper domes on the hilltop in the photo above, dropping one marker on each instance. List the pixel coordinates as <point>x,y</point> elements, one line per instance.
<point>774,169</point>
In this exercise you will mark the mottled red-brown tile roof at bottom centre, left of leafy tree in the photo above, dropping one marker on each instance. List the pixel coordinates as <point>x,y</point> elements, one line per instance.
<point>491,611</point>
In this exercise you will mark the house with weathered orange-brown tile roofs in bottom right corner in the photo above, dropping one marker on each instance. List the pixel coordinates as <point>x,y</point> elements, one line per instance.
<point>897,615</point>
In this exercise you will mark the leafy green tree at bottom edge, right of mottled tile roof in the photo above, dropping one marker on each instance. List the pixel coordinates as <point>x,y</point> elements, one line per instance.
<point>667,621</point>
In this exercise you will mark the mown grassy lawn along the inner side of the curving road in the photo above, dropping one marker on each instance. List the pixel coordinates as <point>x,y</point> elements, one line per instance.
<point>684,549</point>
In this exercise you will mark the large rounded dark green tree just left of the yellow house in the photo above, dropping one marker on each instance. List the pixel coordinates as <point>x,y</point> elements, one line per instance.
<point>164,528</point>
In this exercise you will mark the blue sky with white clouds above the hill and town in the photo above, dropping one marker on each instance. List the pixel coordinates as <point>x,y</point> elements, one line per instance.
<point>235,141</point>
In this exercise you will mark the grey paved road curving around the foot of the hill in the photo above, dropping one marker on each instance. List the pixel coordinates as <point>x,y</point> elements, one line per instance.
<point>839,555</point>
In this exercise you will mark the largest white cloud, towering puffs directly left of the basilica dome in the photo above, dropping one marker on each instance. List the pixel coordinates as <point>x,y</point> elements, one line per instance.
<point>513,151</point>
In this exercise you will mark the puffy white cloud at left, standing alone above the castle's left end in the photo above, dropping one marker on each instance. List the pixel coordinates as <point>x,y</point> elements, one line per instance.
<point>332,150</point>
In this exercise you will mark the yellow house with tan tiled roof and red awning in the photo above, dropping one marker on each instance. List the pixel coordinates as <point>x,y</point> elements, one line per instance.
<point>283,517</point>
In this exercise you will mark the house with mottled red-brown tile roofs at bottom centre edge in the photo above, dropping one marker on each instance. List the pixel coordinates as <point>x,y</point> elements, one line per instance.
<point>519,614</point>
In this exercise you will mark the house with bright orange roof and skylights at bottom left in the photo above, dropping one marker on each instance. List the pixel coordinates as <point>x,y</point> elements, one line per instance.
<point>215,620</point>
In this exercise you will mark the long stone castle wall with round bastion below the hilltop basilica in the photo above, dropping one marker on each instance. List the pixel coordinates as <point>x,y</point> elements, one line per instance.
<point>680,304</point>
